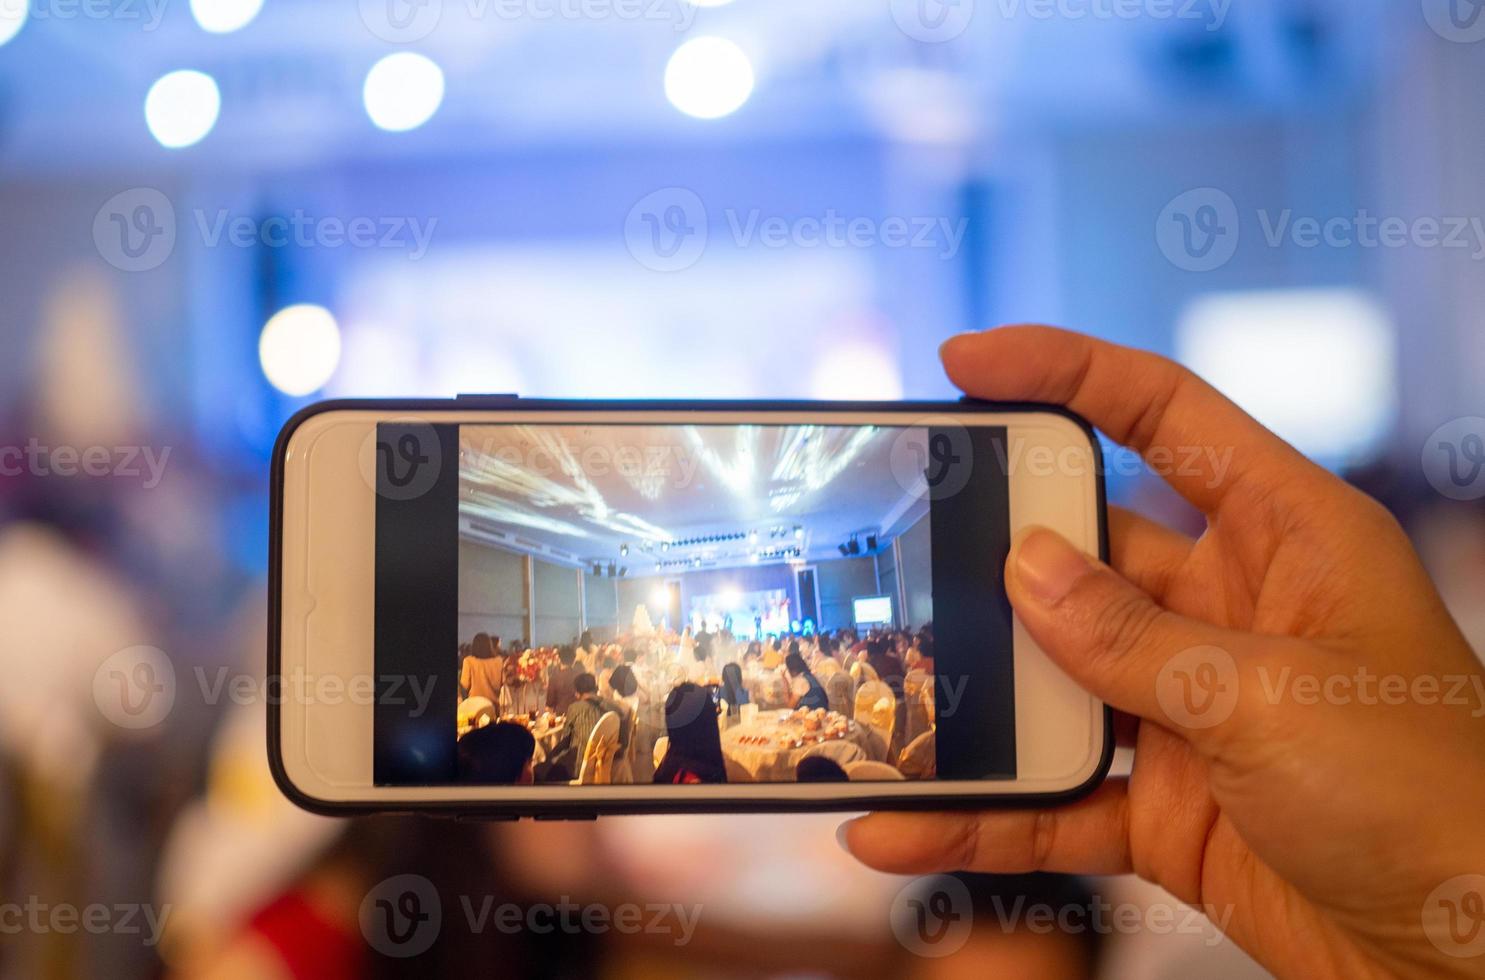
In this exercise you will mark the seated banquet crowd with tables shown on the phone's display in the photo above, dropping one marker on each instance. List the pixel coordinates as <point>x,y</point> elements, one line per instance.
<point>657,706</point>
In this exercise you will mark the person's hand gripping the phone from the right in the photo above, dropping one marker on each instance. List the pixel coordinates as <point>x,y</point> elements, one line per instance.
<point>1328,820</point>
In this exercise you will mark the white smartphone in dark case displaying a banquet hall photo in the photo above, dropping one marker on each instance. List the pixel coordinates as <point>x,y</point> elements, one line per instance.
<point>501,608</point>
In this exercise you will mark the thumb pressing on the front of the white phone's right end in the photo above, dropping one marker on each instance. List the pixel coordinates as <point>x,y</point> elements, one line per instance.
<point>1119,644</point>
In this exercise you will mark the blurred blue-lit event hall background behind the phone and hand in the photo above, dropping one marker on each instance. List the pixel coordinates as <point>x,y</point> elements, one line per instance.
<point>218,212</point>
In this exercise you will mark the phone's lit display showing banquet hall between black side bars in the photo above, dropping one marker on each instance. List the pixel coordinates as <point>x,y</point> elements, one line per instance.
<point>693,604</point>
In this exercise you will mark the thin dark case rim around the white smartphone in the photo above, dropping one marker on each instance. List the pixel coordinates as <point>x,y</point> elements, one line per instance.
<point>589,808</point>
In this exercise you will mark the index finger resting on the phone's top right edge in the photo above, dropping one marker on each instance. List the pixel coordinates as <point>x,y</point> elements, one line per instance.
<point>1190,434</point>
